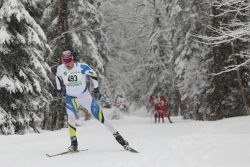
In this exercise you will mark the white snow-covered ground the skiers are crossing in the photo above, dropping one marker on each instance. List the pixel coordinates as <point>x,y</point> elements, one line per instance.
<point>184,143</point>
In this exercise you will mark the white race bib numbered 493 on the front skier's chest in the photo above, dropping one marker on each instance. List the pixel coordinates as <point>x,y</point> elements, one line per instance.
<point>72,78</point>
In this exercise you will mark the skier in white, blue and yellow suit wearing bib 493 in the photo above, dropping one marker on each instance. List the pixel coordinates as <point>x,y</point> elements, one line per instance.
<point>73,75</point>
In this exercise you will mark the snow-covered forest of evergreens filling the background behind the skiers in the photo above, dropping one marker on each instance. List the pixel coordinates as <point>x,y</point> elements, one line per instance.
<point>194,52</point>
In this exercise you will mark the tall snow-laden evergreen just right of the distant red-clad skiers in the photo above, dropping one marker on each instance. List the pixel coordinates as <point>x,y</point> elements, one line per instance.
<point>189,56</point>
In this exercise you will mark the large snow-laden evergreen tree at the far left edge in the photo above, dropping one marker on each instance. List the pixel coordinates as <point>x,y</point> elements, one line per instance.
<point>24,82</point>
